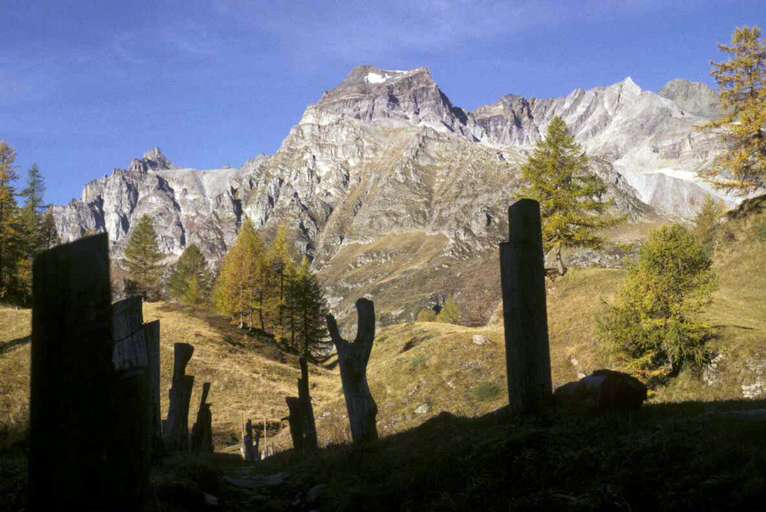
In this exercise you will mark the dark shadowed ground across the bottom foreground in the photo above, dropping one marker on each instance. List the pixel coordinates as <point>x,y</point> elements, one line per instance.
<point>677,456</point>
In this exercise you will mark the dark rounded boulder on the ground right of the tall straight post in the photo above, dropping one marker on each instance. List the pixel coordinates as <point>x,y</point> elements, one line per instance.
<point>602,391</point>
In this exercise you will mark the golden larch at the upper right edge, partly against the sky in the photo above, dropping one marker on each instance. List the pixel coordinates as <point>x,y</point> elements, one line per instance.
<point>742,89</point>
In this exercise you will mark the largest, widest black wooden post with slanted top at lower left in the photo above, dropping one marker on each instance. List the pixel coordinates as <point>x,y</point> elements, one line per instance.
<point>72,378</point>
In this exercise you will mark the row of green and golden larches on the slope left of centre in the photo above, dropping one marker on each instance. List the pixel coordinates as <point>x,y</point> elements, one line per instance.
<point>262,287</point>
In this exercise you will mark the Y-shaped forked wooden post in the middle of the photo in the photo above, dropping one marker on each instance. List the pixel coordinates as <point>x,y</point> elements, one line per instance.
<point>353,359</point>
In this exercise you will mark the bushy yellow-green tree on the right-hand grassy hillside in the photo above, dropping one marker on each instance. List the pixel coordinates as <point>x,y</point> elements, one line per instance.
<point>652,326</point>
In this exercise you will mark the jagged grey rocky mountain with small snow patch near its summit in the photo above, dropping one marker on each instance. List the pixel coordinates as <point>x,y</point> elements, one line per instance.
<point>399,194</point>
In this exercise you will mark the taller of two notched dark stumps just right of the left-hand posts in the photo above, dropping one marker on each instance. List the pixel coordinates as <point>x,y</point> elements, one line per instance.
<point>176,432</point>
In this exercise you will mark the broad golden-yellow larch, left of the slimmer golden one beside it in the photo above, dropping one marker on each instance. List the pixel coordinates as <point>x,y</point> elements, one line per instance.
<point>239,290</point>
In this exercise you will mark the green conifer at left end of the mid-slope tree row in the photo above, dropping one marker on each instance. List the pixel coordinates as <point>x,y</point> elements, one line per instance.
<point>143,260</point>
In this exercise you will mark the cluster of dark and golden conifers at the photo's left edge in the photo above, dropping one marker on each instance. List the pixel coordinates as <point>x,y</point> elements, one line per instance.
<point>26,228</point>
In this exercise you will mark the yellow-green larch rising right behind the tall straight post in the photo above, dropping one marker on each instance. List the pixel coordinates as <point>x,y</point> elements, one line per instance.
<point>570,196</point>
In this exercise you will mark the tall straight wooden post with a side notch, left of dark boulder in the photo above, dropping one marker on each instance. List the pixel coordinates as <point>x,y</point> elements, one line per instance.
<point>522,276</point>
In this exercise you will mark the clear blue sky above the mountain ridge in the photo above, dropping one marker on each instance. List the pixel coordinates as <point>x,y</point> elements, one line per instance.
<point>87,85</point>
